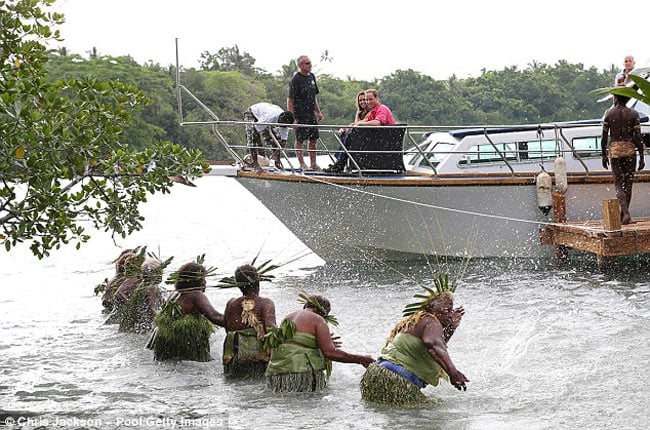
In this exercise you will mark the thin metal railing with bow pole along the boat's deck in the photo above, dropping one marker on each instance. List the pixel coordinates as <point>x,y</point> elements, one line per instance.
<point>417,146</point>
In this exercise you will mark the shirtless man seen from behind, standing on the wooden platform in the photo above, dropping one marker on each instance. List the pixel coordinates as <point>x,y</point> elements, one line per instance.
<point>621,124</point>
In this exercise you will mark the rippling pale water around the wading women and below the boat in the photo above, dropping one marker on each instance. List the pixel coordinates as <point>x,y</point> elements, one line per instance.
<point>545,345</point>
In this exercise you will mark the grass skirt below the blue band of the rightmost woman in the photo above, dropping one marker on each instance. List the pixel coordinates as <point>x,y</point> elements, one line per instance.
<point>384,387</point>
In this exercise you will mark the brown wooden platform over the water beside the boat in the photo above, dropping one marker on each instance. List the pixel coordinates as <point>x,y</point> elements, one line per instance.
<point>590,236</point>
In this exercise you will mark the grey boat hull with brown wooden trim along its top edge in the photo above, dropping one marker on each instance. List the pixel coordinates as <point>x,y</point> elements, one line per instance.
<point>394,220</point>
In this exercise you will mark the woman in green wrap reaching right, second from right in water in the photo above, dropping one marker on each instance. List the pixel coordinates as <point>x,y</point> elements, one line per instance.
<point>300,361</point>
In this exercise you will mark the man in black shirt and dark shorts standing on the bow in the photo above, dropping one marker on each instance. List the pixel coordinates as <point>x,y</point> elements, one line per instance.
<point>302,101</point>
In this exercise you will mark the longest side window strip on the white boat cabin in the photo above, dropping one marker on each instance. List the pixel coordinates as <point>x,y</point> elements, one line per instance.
<point>523,151</point>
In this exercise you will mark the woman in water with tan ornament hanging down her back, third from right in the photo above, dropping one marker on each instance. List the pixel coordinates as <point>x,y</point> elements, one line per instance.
<point>247,319</point>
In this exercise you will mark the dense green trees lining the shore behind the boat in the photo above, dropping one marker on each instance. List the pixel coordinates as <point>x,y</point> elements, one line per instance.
<point>228,82</point>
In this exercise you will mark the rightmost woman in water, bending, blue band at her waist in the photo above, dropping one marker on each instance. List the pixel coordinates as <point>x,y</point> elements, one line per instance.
<point>415,355</point>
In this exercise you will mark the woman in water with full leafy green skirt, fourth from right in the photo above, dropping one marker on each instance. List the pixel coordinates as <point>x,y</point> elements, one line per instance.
<point>184,324</point>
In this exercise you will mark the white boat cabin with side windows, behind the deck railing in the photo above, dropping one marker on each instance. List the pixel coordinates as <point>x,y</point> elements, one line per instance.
<point>515,149</point>
